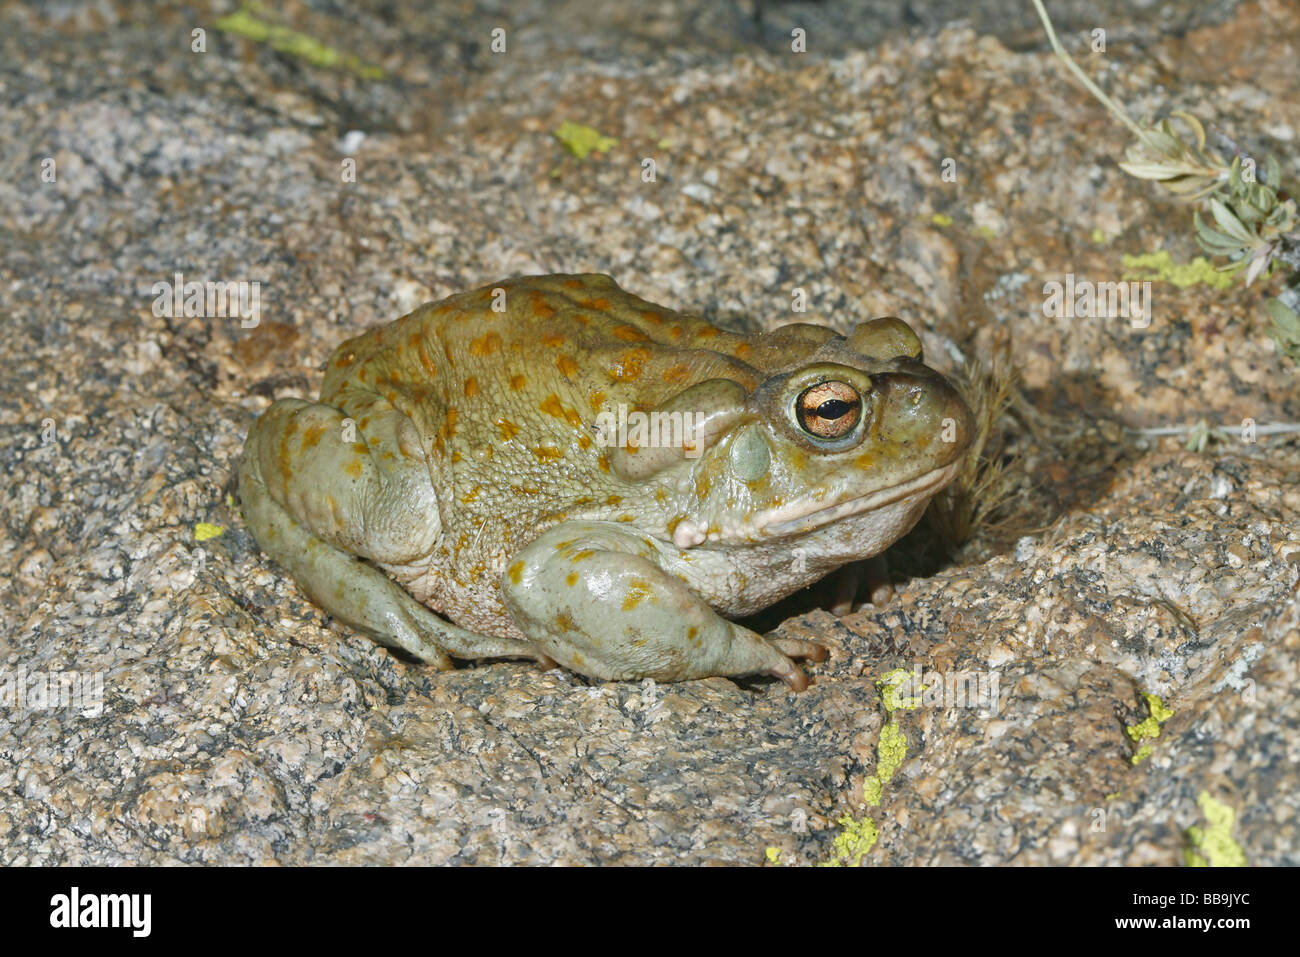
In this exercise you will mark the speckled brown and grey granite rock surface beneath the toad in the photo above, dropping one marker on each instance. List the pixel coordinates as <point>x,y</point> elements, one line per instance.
<point>237,725</point>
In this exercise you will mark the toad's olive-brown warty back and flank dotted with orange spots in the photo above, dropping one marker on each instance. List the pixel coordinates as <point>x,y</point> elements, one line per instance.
<point>505,386</point>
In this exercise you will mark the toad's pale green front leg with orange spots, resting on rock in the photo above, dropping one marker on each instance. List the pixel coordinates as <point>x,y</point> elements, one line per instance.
<point>596,599</point>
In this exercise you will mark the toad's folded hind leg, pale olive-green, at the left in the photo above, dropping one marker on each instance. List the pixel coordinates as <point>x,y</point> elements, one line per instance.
<point>319,505</point>
